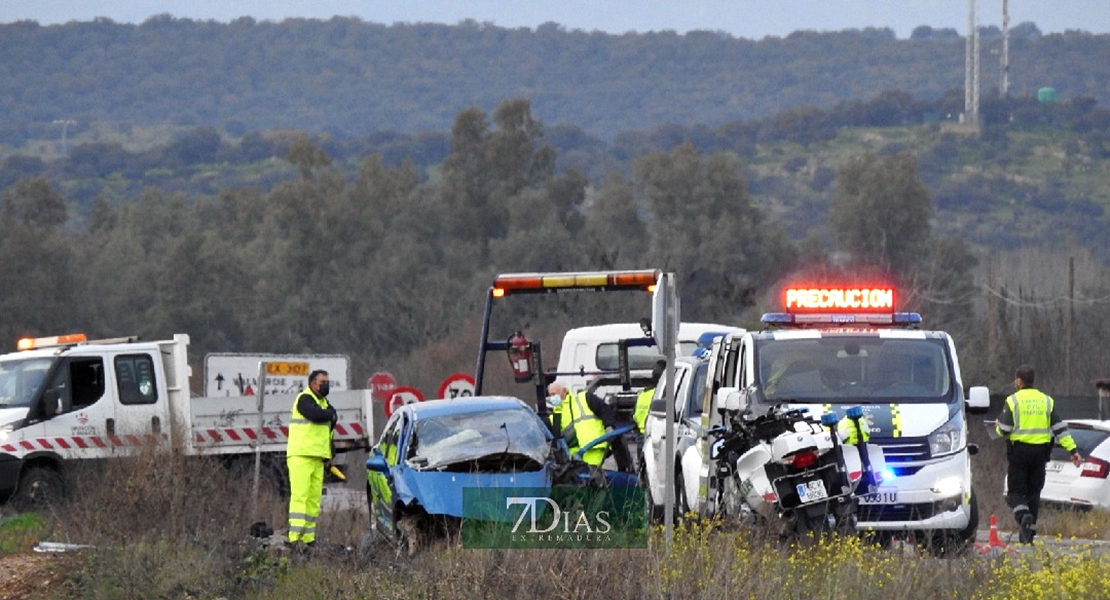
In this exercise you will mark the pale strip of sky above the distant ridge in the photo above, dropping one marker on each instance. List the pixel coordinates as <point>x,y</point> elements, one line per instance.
<point>753,19</point>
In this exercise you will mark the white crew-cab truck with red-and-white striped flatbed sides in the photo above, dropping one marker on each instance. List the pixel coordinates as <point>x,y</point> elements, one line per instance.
<point>67,400</point>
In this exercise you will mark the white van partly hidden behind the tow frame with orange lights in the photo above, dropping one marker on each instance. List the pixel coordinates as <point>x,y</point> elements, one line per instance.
<point>589,353</point>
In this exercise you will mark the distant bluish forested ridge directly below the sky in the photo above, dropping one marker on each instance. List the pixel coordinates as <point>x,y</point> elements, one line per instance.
<point>351,78</point>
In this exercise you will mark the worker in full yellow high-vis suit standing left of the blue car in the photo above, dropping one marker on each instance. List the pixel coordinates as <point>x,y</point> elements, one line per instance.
<point>310,448</point>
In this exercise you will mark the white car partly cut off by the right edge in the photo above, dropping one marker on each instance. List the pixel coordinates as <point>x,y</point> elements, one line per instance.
<point>1085,486</point>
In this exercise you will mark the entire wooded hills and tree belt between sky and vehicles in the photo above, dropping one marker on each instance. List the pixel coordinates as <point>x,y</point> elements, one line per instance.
<point>280,223</point>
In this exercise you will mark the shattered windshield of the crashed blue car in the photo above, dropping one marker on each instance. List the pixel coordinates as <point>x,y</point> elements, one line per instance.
<point>455,439</point>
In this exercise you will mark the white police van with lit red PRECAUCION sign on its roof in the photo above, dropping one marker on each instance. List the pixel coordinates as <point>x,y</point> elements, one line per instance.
<point>835,349</point>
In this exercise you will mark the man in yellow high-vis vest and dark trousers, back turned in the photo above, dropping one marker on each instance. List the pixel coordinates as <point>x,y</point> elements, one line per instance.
<point>1030,424</point>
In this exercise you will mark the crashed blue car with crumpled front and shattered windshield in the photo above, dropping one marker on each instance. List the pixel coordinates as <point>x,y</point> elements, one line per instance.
<point>430,452</point>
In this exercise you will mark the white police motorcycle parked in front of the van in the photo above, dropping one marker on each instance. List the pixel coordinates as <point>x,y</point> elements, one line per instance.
<point>790,467</point>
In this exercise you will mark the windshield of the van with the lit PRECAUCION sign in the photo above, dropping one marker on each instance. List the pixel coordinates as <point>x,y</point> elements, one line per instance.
<point>856,369</point>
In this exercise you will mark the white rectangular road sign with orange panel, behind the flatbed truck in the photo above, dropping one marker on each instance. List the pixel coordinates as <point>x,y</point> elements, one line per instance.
<point>227,374</point>
